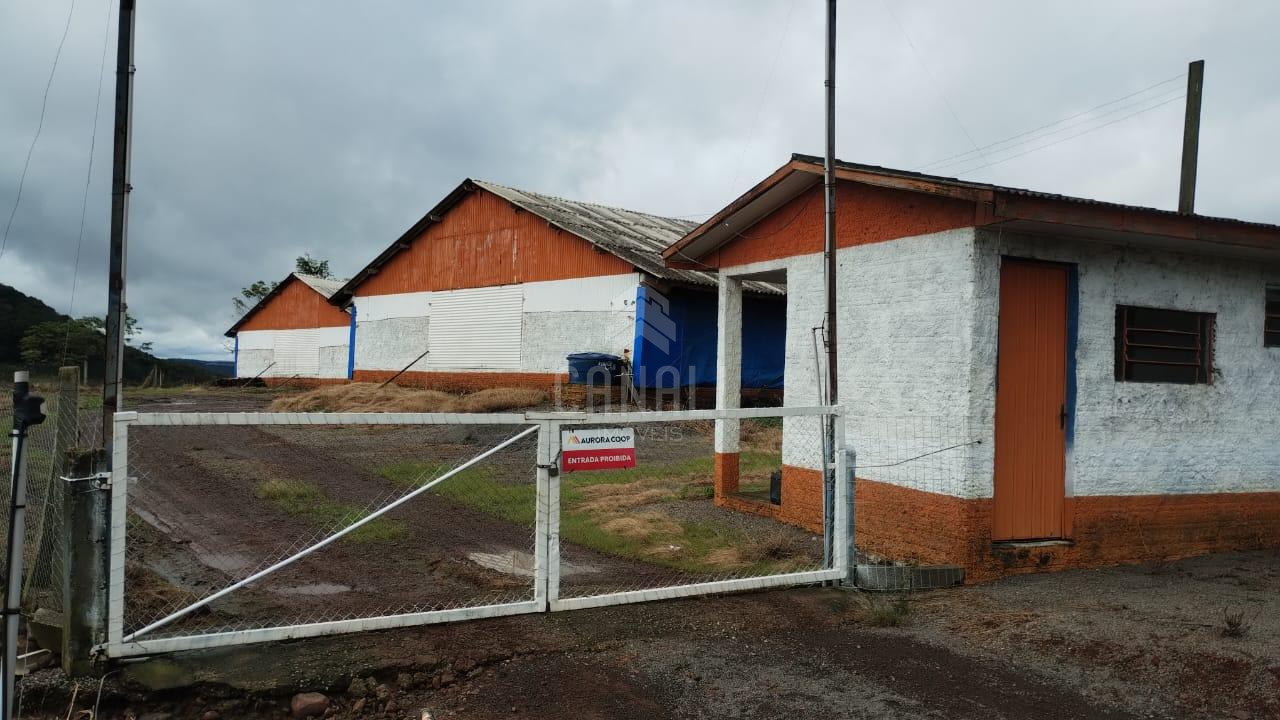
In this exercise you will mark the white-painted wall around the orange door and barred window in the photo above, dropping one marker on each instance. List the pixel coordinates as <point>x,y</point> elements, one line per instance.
<point>1150,439</point>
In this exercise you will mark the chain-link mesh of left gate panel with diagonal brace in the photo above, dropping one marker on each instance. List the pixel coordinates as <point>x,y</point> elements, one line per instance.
<point>212,504</point>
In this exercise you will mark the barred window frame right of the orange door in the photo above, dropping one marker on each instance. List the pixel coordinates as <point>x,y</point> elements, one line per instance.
<point>1205,347</point>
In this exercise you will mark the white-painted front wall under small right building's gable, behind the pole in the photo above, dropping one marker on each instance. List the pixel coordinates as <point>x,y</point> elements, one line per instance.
<point>904,335</point>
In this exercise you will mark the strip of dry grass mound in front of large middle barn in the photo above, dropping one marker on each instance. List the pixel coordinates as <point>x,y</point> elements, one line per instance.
<point>368,398</point>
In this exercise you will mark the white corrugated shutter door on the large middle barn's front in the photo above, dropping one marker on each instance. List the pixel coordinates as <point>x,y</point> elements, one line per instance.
<point>477,330</point>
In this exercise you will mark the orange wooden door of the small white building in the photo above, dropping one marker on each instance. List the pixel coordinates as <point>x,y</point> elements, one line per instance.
<point>1031,403</point>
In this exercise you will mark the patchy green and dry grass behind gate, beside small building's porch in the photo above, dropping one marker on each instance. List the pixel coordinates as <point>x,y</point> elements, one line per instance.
<point>621,513</point>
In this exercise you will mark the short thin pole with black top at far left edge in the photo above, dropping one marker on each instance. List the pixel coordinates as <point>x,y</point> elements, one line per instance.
<point>28,412</point>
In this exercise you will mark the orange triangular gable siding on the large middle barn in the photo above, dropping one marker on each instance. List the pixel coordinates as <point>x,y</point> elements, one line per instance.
<point>484,241</point>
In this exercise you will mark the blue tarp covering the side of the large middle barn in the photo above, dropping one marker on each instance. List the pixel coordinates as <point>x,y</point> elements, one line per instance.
<point>675,340</point>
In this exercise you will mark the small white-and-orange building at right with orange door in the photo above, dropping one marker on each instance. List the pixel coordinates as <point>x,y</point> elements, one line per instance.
<point>1031,381</point>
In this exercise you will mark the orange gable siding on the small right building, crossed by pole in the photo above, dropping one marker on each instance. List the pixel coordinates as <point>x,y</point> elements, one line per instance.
<point>865,215</point>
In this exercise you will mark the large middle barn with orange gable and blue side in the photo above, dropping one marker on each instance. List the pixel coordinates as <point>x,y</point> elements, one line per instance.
<point>497,286</point>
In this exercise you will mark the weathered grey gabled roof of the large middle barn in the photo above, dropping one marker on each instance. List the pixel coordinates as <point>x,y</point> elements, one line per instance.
<point>634,238</point>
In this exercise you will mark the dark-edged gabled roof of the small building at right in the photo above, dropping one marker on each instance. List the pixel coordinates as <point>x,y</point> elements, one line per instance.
<point>1022,209</point>
